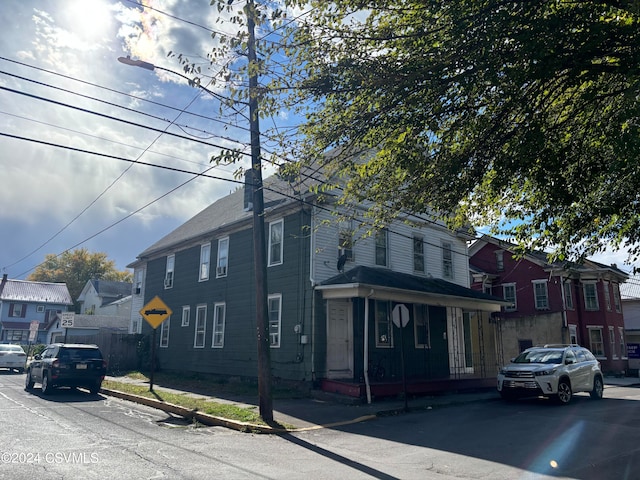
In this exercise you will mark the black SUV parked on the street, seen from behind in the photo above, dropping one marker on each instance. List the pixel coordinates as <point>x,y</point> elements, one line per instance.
<point>67,365</point>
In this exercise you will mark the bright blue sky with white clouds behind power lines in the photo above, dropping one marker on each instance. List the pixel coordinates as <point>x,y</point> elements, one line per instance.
<point>101,155</point>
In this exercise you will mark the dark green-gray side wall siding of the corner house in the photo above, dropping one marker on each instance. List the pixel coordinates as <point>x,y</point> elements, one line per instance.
<point>238,357</point>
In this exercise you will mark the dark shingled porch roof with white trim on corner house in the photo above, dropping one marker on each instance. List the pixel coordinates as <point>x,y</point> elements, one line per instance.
<point>383,284</point>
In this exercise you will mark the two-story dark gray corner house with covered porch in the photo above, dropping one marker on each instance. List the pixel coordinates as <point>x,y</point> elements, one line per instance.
<point>338,295</point>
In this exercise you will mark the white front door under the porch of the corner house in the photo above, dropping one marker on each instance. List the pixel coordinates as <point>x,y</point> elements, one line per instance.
<point>339,339</point>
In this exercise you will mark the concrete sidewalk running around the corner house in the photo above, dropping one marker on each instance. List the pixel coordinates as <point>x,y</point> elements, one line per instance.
<point>325,411</point>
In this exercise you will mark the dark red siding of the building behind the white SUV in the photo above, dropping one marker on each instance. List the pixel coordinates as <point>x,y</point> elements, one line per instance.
<point>551,325</point>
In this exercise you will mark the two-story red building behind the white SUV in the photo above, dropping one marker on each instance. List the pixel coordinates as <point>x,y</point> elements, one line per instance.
<point>558,302</point>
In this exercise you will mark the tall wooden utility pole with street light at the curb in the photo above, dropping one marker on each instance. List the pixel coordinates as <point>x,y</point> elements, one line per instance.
<point>259,244</point>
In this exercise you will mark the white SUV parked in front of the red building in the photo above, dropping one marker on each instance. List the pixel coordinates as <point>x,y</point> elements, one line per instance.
<point>553,371</point>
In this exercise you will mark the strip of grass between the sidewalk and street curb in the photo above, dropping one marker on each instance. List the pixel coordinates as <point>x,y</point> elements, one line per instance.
<point>224,410</point>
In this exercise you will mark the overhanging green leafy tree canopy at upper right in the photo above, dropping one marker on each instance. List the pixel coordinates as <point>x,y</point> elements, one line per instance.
<point>522,115</point>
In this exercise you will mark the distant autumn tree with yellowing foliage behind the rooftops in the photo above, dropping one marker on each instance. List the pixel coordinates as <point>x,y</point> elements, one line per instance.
<point>77,267</point>
